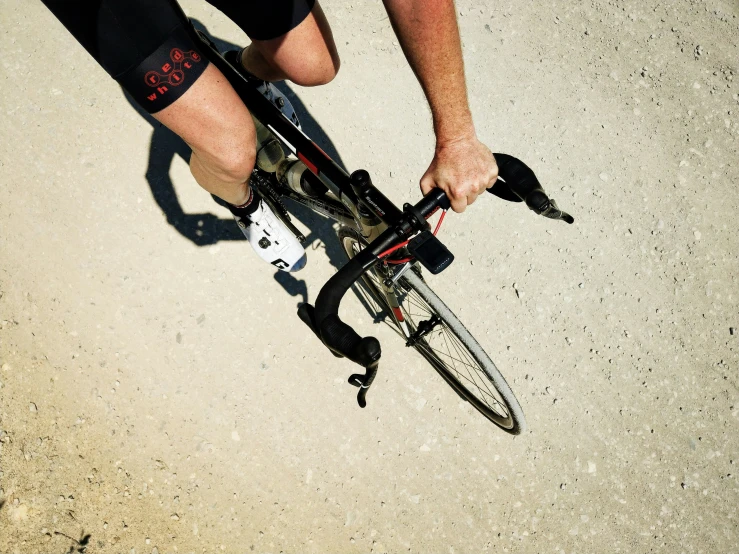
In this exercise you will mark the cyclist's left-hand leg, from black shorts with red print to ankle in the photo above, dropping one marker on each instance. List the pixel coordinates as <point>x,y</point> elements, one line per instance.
<point>144,45</point>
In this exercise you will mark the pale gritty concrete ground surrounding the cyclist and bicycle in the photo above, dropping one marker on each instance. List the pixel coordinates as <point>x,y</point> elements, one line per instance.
<point>158,393</point>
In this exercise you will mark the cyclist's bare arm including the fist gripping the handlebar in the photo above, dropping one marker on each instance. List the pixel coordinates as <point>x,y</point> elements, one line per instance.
<point>427,30</point>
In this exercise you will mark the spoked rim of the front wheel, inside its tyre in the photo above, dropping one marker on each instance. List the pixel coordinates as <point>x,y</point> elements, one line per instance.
<point>441,347</point>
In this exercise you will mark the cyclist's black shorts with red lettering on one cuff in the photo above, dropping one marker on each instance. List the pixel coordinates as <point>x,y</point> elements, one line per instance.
<point>145,45</point>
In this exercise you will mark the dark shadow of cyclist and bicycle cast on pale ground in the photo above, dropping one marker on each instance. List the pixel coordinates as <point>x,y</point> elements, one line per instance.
<point>207,228</point>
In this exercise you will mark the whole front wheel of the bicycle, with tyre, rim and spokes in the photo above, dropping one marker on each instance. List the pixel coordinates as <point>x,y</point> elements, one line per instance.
<point>420,317</point>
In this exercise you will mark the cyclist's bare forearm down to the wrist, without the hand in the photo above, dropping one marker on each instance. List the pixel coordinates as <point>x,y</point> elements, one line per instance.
<point>428,33</point>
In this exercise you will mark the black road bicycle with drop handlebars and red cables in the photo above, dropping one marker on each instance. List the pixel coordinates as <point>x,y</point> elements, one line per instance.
<point>386,249</point>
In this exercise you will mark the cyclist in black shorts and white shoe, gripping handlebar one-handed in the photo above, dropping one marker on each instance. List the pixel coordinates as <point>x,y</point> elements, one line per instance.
<point>146,47</point>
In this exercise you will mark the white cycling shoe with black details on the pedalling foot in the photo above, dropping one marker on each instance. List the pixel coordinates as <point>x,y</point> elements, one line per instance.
<point>272,240</point>
